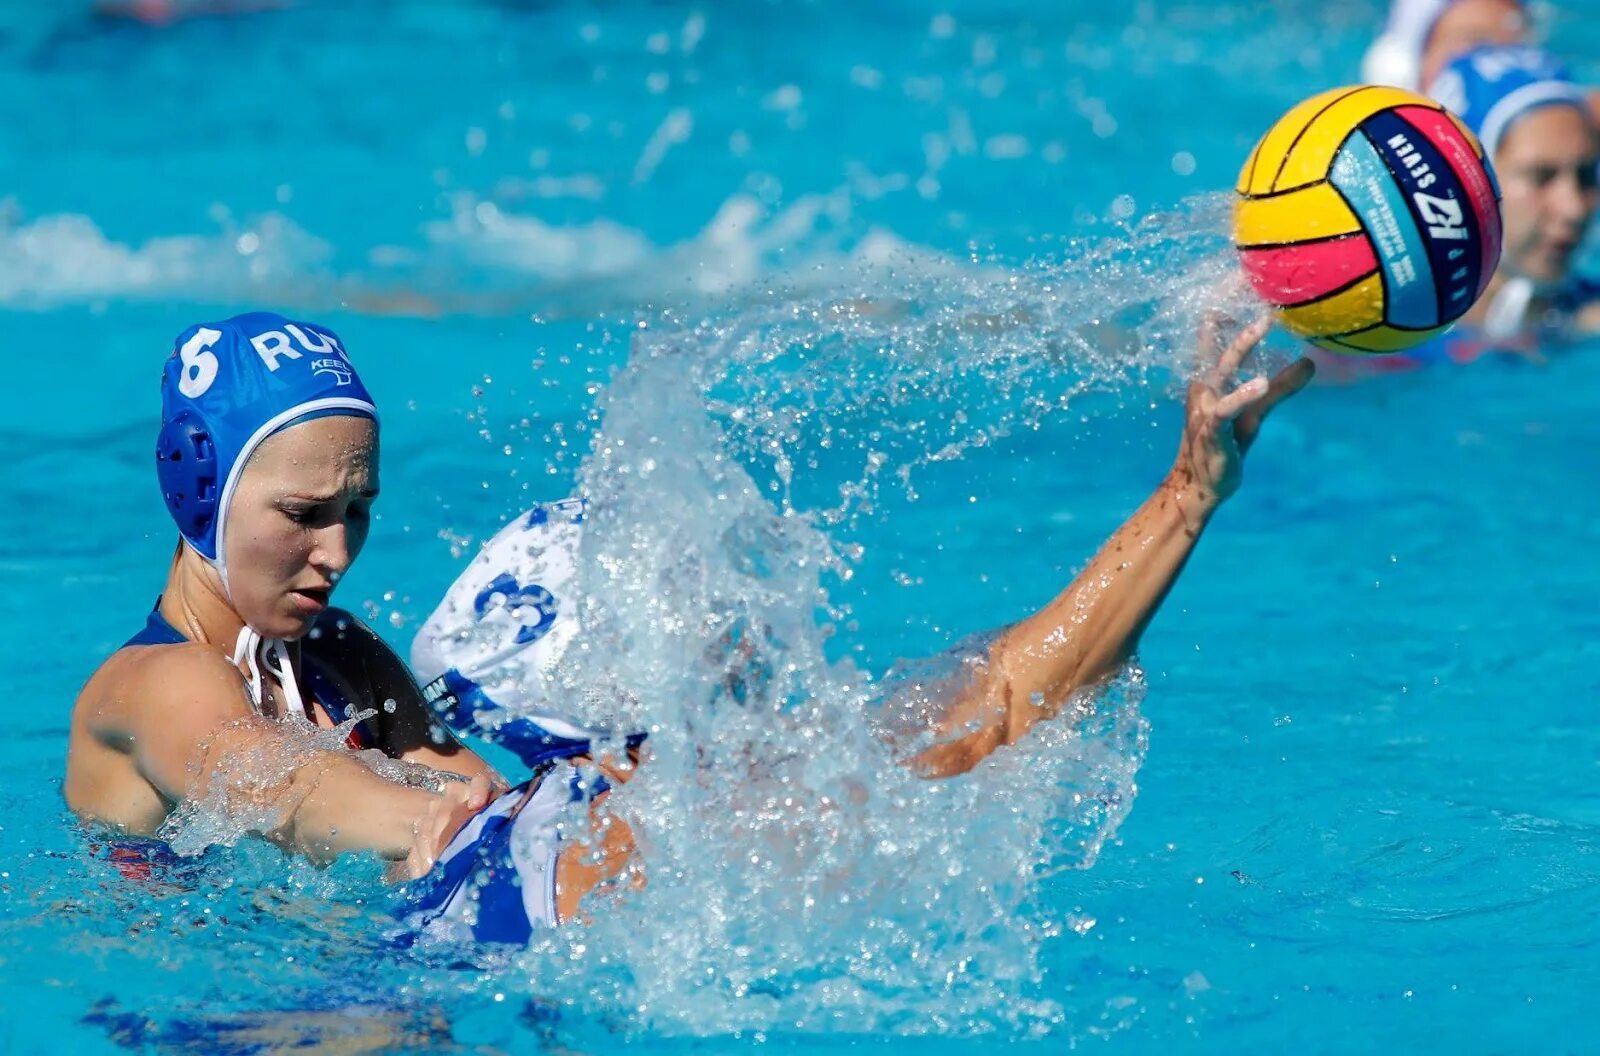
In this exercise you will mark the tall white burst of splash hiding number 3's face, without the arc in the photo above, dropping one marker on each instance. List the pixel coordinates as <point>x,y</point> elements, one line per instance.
<point>798,874</point>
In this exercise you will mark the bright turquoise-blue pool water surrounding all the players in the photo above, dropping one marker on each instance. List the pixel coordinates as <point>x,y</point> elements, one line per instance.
<point>1366,815</point>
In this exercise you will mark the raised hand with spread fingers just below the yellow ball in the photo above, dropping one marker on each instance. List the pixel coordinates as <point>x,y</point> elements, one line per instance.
<point>1220,426</point>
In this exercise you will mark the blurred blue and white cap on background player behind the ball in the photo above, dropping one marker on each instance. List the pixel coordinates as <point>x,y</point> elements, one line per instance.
<point>1494,87</point>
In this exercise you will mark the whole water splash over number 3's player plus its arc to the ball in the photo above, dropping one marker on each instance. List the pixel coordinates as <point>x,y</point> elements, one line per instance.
<point>799,876</point>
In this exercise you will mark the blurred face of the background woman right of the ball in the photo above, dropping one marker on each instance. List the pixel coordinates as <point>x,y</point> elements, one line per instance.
<point>1546,167</point>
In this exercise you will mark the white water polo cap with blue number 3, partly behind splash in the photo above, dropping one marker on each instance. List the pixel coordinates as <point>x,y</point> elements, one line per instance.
<point>490,652</point>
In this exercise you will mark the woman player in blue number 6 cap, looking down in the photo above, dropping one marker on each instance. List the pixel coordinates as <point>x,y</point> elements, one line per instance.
<point>268,462</point>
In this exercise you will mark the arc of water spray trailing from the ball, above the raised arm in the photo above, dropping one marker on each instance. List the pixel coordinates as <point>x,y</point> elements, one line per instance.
<point>826,391</point>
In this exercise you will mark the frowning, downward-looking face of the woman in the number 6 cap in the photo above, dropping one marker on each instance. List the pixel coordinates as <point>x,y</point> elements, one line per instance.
<point>298,519</point>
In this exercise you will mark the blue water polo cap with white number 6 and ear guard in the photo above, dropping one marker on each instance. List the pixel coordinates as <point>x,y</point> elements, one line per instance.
<point>230,386</point>
